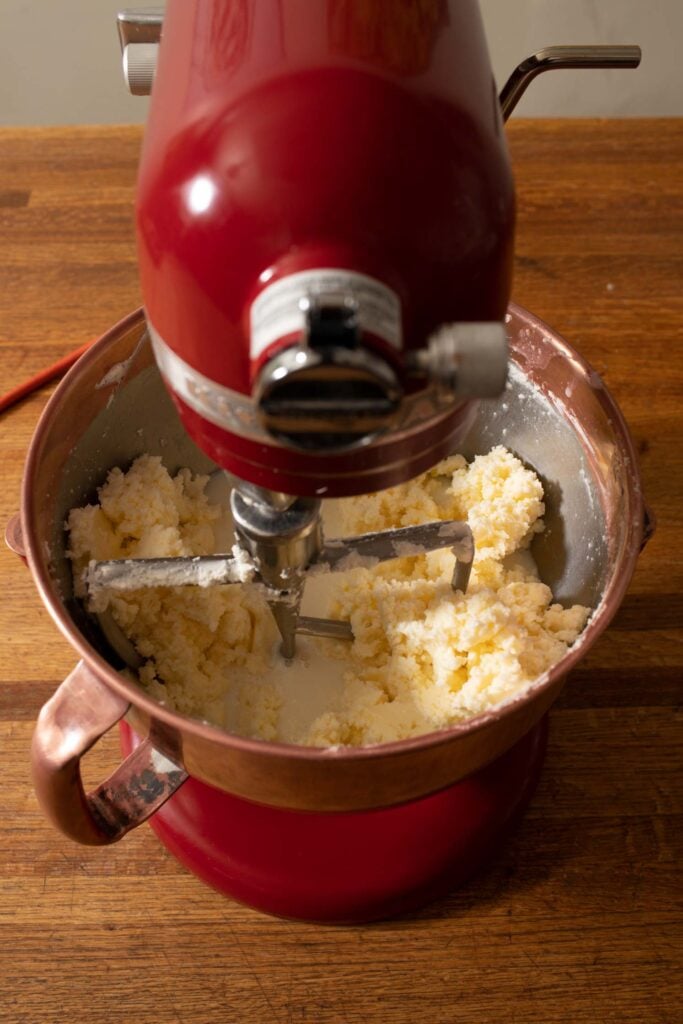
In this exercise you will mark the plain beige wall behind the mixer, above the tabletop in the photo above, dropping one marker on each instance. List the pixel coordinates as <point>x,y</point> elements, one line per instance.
<point>60,59</point>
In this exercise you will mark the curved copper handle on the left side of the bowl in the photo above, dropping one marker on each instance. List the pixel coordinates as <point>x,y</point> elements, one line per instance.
<point>72,721</point>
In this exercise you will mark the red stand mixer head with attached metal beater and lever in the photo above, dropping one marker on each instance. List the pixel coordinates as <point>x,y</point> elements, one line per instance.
<point>325,222</point>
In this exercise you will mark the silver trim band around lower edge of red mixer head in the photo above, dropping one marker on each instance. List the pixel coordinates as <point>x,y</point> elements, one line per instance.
<point>239,414</point>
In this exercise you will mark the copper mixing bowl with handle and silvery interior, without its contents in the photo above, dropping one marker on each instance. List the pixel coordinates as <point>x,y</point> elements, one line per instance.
<point>557,415</point>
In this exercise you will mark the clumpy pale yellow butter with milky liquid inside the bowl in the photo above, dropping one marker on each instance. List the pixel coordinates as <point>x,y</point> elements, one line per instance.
<point>423,657</point>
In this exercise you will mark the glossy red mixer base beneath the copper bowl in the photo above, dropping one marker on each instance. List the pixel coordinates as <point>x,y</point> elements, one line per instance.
<point>349,868</point>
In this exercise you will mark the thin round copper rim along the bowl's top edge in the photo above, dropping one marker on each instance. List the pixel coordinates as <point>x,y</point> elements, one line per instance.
<point>601,619</point>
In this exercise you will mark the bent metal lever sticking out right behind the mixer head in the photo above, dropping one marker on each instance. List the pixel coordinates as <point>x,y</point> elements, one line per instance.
<point>564,58</point>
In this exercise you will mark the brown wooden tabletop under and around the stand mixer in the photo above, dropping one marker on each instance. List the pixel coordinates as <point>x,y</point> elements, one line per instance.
<point>579,917</point>
